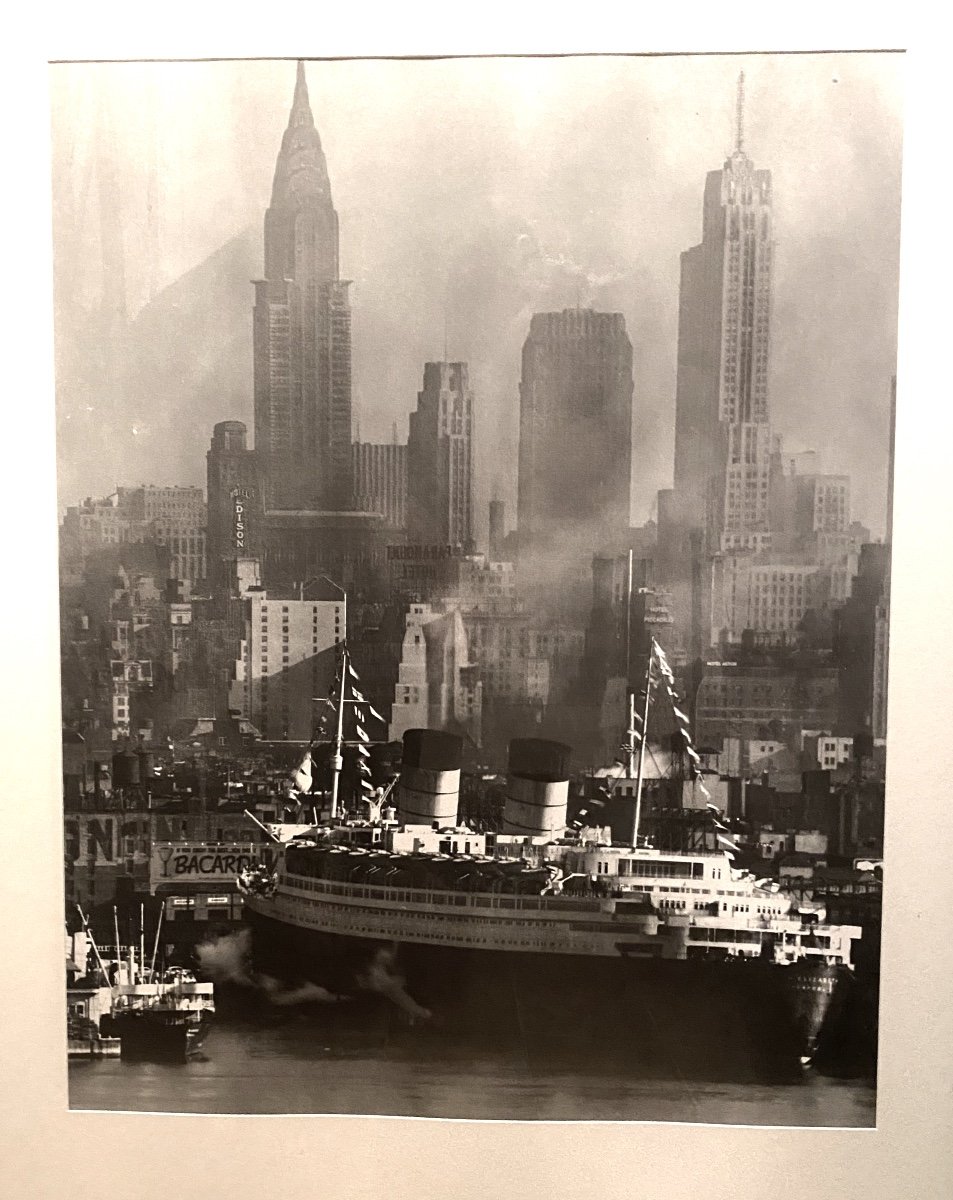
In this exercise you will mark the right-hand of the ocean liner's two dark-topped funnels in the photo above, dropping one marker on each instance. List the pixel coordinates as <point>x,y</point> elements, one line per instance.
<point>537,788</point>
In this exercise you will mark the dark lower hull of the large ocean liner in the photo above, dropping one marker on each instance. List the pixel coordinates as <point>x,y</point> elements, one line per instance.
<point>706,1019</point>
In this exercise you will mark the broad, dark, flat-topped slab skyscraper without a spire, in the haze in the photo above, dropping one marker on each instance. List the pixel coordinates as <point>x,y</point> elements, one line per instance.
<point>576,449</point>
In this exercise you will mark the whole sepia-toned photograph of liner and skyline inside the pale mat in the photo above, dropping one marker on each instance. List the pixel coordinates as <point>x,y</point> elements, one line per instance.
<point>475,484</point>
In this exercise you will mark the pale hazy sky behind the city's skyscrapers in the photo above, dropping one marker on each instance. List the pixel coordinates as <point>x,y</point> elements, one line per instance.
<point>472,194</point>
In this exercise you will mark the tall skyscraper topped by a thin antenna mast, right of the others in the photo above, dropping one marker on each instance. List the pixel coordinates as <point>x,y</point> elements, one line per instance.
<point>723,439</point>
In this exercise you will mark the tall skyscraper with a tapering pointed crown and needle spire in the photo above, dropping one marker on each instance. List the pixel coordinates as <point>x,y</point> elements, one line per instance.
<point>303,332</point>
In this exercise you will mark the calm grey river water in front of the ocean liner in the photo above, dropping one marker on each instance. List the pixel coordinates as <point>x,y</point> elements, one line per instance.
<point>297,1064</point>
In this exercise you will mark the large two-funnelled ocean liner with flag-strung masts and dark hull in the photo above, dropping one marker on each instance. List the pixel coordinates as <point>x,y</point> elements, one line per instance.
<point>544,933</point>
